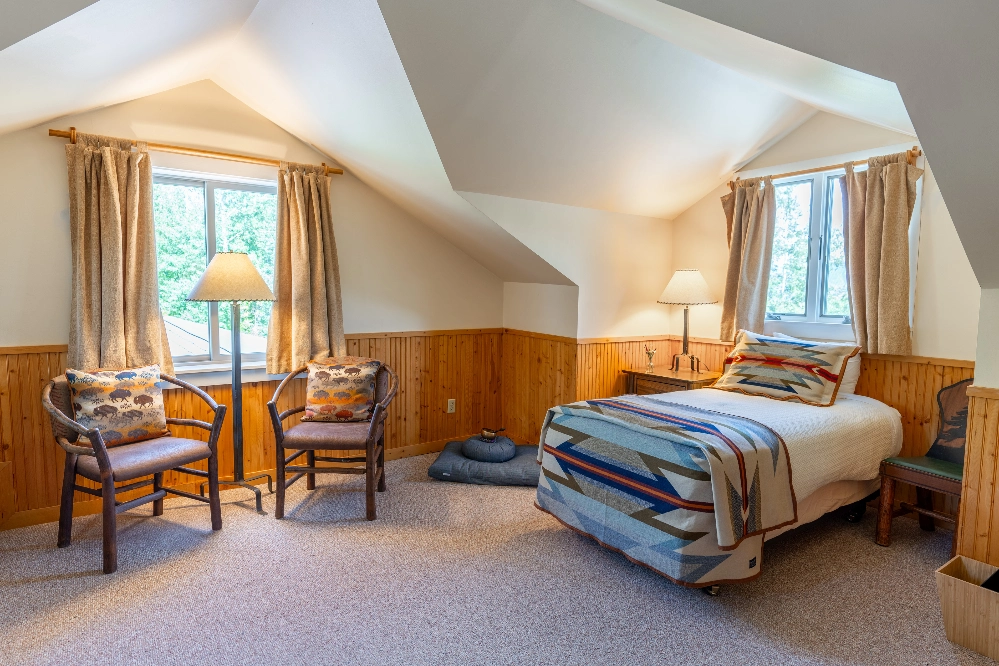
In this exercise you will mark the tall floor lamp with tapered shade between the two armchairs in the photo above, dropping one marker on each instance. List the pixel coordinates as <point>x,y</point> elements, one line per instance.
<point>231,276</point>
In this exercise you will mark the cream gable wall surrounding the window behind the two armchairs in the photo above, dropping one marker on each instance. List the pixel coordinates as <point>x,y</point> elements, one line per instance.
<point>396,273</point>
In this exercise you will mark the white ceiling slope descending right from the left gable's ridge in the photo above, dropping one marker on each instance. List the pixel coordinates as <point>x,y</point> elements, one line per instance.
<point>328,73</point>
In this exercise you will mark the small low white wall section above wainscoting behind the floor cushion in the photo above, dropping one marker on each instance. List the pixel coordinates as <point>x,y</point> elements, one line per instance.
<point>542,308</point>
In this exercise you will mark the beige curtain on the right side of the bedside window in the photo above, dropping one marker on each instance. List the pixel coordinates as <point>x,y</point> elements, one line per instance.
<point>879,203</point>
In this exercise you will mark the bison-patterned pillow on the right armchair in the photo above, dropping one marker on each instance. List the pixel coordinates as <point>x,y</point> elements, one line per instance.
<point>341,388</point>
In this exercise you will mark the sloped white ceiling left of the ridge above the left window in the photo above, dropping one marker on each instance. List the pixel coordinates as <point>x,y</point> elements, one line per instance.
<point>113,51</point>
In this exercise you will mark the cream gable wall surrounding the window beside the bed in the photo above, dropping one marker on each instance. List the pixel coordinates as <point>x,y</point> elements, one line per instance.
<point>945,320</point>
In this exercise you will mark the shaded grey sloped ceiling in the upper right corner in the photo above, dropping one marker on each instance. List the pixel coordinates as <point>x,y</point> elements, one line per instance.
<point>943,56</point>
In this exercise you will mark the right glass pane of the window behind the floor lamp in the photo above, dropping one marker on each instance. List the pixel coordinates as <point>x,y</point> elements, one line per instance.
<point>246,221</point>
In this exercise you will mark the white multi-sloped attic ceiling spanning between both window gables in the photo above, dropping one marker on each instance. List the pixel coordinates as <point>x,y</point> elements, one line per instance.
<point>629,106</point>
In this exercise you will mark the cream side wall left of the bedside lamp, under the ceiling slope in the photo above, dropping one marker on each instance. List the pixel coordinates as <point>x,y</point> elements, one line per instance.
<point>620,262</point>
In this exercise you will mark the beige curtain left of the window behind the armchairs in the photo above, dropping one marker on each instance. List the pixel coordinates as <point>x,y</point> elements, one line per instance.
<point>115,319</point>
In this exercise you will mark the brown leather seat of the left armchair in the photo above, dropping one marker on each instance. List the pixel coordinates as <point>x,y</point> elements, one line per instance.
<point>130,461</point>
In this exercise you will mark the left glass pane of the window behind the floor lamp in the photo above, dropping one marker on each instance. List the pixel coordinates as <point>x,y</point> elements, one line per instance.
<point>181,257</point>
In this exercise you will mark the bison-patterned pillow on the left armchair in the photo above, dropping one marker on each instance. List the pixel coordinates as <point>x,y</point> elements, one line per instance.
<point>125,405</point>
